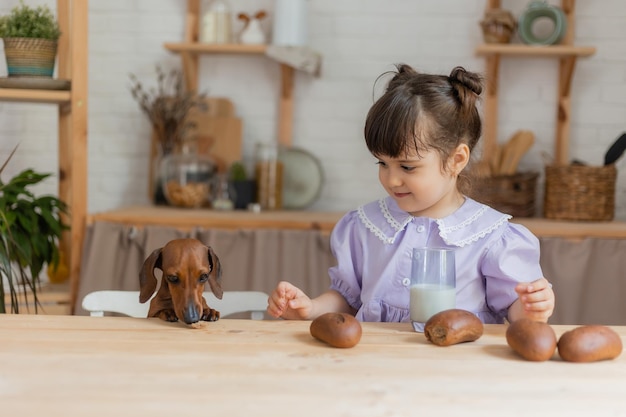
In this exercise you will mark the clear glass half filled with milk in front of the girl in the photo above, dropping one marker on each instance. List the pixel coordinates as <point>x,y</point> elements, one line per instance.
<point>433,284</point>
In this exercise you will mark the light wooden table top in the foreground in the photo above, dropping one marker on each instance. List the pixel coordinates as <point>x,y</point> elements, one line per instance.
<point>113,366</point>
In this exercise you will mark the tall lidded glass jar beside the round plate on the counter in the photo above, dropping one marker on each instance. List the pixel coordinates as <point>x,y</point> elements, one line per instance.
<point>269,176</point>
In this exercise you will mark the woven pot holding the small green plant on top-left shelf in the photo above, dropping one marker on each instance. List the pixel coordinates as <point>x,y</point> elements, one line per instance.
<point>30,57</point>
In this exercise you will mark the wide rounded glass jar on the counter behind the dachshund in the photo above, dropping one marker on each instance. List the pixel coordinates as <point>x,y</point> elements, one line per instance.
<point>186,179</point>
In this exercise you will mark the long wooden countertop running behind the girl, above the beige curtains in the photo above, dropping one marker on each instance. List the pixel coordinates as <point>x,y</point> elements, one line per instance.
<point>187,219</point>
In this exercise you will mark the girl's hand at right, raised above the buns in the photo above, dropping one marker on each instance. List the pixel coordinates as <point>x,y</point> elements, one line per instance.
<point>536,299</point>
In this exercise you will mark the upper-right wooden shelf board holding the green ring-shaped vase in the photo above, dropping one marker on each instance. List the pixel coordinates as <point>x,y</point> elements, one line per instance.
<point>537,51</point>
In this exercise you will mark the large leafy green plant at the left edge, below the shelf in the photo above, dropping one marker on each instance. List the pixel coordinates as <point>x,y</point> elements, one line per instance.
<point>30,230</point>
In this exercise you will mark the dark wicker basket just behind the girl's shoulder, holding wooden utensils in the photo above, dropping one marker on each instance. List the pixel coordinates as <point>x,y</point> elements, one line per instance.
<point>511,194</point>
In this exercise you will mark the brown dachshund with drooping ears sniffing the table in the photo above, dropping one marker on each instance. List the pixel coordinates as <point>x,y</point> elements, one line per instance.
<point>187,265</point>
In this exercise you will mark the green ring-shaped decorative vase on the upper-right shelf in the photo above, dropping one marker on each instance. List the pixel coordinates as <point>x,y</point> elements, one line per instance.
<point>538,10</point>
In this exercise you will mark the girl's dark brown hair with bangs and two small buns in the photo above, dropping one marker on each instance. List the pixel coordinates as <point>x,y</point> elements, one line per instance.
<point>425,111</point>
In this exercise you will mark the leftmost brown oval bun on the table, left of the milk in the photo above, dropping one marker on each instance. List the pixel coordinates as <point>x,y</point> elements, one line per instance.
<point>337,329</point>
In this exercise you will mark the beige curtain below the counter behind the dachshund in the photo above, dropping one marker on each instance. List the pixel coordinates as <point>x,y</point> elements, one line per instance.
<point>251,259</point>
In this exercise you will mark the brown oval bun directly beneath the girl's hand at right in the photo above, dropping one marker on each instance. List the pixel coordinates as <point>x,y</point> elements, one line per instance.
<point>532,340</point>
